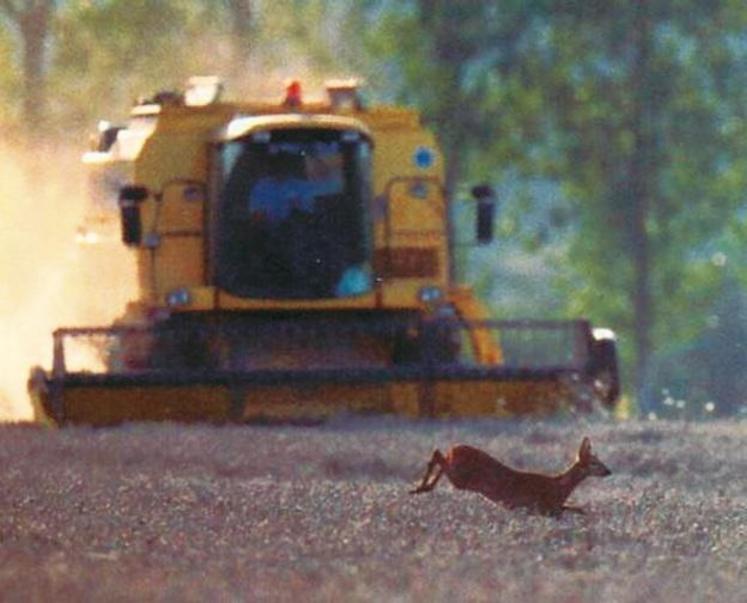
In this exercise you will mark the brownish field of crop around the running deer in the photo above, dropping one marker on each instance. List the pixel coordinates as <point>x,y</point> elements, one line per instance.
<point>173,513</point>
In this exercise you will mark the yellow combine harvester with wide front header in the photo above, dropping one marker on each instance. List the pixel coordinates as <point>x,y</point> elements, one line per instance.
<point>295,261</point>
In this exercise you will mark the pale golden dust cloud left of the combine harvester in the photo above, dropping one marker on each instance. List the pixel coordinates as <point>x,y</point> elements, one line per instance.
<point>48,277</point>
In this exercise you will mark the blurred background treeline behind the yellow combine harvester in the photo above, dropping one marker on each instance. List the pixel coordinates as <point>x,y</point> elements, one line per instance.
<point>614,132</point>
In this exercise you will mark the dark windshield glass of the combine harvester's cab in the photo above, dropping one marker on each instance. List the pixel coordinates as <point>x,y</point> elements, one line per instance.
<point>293,215</point>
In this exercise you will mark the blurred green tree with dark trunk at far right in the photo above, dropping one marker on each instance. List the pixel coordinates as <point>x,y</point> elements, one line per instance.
<point>643,101</point>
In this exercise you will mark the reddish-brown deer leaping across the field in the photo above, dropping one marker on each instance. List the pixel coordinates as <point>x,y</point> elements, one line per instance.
<point>472,469</point>
